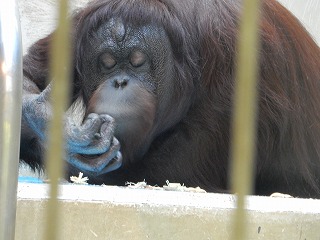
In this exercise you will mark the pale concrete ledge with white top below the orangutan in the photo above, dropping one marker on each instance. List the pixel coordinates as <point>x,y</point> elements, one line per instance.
<point>100,212</point>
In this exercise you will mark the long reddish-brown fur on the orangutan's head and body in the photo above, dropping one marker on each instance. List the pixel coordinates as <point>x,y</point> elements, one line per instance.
<point>203,34</point>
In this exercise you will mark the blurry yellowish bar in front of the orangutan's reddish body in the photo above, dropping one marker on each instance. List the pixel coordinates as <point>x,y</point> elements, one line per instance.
<point>245,110</point>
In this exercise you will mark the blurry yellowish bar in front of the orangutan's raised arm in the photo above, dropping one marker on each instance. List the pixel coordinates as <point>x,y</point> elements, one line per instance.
<point>60,77</point>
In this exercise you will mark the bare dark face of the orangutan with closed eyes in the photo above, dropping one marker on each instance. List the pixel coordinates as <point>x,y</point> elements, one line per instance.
<point>120,81</point>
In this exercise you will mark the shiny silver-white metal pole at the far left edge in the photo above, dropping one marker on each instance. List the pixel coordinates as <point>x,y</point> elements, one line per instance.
<point>10,116</point>
